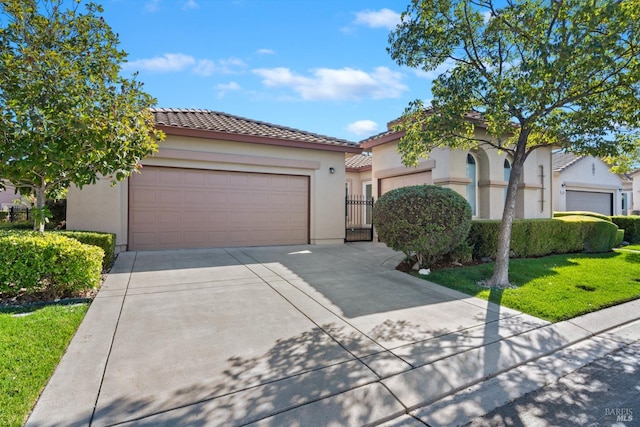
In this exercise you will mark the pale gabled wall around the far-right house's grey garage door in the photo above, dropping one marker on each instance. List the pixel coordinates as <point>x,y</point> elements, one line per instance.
<point>587,174</point>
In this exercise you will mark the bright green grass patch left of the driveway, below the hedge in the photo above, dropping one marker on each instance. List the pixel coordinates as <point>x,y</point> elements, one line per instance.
<point>31,345</point>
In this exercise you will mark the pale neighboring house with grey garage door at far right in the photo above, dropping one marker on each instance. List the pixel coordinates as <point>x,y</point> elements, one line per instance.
<point>586,183</point>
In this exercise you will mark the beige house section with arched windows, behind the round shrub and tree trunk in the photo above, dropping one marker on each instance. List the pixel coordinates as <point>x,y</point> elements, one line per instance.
<point>480,175</point>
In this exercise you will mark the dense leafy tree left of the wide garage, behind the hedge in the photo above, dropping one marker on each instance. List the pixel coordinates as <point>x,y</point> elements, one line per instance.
<point>66,115</point>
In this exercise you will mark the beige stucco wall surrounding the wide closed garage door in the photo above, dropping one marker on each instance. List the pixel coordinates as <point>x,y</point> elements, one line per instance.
<point>105,208</point>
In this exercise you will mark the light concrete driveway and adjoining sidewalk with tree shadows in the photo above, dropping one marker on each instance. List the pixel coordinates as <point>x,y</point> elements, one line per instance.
<point>305,335</point>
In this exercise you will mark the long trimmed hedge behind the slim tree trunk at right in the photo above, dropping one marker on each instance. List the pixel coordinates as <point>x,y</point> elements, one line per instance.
<point>540,237</point>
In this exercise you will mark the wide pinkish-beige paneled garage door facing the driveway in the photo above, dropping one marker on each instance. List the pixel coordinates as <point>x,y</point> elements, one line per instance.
<point>191,208</point>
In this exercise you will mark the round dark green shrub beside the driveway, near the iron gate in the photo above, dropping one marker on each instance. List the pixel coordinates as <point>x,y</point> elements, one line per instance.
<point>424,221</point>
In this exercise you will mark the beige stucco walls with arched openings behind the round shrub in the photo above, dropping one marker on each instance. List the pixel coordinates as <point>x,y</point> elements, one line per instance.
<point>449,169</point>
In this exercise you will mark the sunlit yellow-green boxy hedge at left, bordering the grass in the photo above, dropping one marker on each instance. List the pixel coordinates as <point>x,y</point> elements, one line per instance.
<point>47,262</point>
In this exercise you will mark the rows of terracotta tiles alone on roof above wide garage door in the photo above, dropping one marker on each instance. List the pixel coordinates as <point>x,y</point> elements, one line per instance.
<point>227,123</point>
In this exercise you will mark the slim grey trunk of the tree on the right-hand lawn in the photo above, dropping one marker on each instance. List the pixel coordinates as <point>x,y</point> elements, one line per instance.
<point>500,277</point>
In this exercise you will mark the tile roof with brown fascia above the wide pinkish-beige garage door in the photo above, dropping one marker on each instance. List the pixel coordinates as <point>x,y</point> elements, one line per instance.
<point>213,124</point>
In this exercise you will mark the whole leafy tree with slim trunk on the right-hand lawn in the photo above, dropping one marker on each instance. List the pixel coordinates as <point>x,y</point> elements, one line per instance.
<point>559,73</point>
